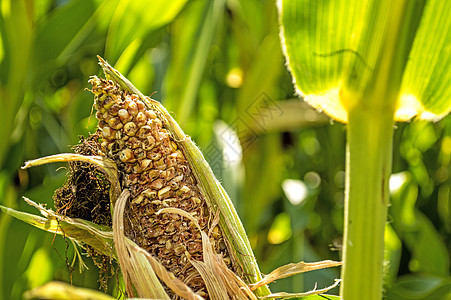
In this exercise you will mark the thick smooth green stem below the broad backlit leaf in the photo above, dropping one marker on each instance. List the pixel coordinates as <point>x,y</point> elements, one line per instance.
<point>368,167</point>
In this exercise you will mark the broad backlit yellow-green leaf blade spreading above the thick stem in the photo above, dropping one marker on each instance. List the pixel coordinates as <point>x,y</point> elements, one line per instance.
<point>339,52</point>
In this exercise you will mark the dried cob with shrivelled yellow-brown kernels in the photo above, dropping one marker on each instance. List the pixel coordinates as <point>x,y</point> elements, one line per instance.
<point>158,176</point>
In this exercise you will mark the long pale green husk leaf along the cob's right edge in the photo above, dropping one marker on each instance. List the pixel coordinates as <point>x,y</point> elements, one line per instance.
<point>210,188</point>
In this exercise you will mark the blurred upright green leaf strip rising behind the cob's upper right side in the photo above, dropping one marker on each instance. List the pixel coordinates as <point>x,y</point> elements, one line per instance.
<point>191,46</point>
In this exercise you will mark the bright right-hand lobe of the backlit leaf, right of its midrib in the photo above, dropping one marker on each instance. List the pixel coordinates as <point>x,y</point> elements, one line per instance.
<point>426,86</point>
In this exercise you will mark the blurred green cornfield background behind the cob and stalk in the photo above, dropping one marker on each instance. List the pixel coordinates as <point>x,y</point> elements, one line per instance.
<point>218,67</point>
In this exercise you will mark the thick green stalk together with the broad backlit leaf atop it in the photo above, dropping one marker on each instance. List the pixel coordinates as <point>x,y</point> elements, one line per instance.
<point>369,64</point>
